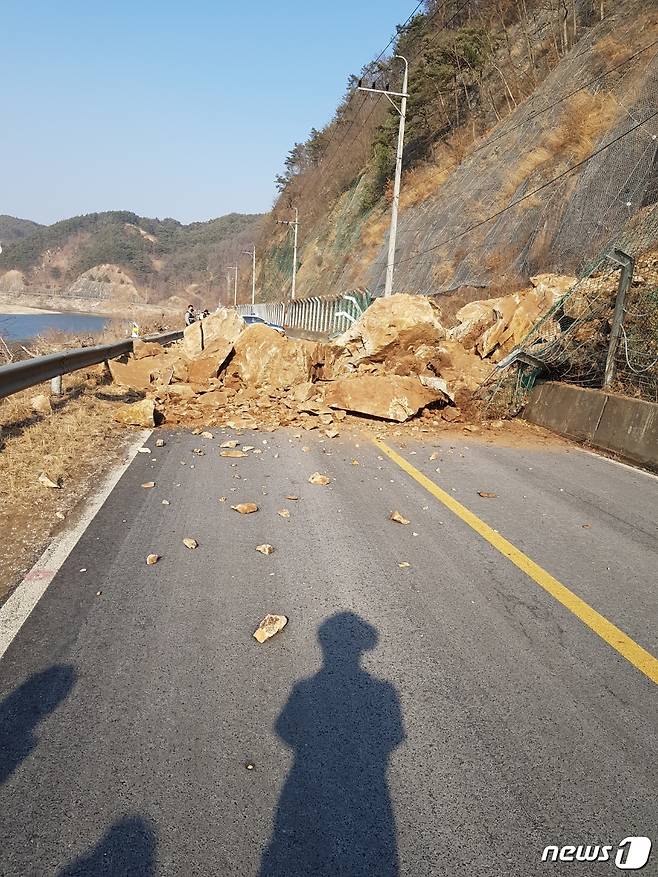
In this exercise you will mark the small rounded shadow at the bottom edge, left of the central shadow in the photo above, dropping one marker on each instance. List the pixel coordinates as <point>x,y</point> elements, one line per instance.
<point>126,850</point>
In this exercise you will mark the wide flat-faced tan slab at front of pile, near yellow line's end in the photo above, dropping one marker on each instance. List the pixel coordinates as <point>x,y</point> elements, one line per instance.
<point>392,397</point>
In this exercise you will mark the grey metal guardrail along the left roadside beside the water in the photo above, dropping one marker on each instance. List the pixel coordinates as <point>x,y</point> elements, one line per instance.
<point>30,372</point>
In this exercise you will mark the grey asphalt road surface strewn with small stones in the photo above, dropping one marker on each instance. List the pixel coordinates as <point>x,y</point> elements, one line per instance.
<point>446,718</point>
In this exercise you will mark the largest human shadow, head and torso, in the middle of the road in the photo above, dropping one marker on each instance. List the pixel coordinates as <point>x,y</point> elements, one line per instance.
<point>335,815</point>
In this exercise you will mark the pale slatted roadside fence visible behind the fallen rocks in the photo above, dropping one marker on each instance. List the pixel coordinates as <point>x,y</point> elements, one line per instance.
<point>322,315</point>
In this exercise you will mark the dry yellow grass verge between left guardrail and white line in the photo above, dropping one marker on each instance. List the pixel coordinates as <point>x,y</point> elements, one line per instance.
<point>76,443</point>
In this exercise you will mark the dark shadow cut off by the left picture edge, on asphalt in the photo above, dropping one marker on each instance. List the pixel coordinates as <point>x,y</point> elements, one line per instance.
<point>23,709</point>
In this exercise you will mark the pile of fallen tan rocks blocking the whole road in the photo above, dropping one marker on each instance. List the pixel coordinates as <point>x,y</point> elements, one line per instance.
<point>395,362</point>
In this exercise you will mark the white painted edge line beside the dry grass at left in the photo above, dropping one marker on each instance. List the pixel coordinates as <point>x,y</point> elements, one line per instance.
<point>26,596</point>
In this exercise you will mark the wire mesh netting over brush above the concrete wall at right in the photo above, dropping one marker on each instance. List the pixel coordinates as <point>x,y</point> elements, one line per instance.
<point>573,340</point>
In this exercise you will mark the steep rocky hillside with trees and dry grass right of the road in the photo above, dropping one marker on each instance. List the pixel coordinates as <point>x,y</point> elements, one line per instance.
<point>531,140</point>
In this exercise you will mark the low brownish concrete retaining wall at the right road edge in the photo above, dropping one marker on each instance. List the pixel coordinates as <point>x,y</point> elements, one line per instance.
<point>627,427</point>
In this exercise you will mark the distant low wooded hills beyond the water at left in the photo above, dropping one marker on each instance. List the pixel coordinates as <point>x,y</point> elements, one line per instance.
<point>105,260</point>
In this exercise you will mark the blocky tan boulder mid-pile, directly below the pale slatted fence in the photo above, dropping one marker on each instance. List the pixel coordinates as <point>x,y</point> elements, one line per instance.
<point>263,357</point>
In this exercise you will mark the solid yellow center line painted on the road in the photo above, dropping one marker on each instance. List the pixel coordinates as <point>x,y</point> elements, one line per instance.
<point>642,660</point>
